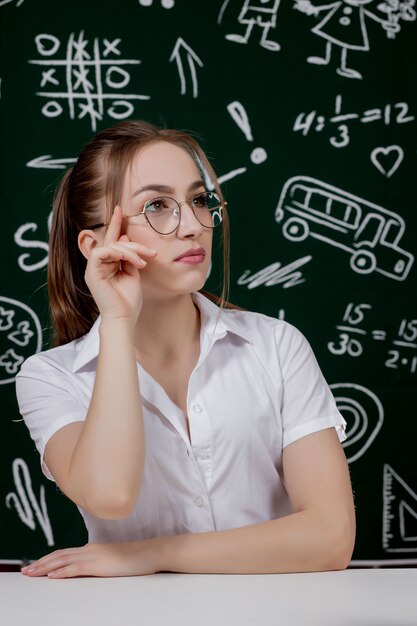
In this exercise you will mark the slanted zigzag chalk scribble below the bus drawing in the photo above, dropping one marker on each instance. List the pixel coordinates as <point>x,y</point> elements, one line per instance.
<point>275,274</point>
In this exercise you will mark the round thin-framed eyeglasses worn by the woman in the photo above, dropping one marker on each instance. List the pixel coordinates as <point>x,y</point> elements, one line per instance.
<point>163,213</point>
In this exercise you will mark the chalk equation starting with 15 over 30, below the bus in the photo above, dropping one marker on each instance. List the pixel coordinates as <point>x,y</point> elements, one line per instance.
<point>352,335</point>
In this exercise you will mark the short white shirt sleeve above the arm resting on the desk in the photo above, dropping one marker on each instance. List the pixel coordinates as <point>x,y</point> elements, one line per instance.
<point>307,402</point>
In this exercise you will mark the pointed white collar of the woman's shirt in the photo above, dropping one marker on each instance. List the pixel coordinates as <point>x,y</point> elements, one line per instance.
<point>215,324</point>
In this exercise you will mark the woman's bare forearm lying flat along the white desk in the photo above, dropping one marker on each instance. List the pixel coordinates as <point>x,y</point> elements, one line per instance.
<point>300,542</point>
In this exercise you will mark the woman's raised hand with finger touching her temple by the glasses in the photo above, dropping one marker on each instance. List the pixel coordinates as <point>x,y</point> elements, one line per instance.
<point>113,273</point>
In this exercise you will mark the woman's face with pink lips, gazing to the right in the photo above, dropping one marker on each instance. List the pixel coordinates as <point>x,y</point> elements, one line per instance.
<point>164,169</point>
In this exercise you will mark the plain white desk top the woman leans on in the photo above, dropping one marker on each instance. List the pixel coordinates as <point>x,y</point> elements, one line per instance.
<point>349,598</point>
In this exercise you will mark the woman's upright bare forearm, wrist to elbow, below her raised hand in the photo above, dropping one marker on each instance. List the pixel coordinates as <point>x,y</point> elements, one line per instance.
<point>108,459</point>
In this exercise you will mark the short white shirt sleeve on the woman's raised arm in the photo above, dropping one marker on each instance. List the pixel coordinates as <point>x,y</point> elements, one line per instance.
<point>47,401</point>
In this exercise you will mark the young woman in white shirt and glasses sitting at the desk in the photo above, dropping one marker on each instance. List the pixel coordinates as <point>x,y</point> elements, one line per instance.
<point>193,437</point>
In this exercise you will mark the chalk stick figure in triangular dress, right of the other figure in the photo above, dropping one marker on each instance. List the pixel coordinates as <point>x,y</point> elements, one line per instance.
<point>344,25</point>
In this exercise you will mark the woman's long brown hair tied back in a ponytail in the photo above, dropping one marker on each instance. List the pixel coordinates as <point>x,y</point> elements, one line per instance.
<point>99,174</point>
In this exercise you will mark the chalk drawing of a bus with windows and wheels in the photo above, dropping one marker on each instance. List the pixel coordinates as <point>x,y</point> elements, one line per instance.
<point>370,233</point>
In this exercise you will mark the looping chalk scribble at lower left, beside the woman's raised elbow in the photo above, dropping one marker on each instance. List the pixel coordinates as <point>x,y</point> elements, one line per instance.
<point>24,501</point>
